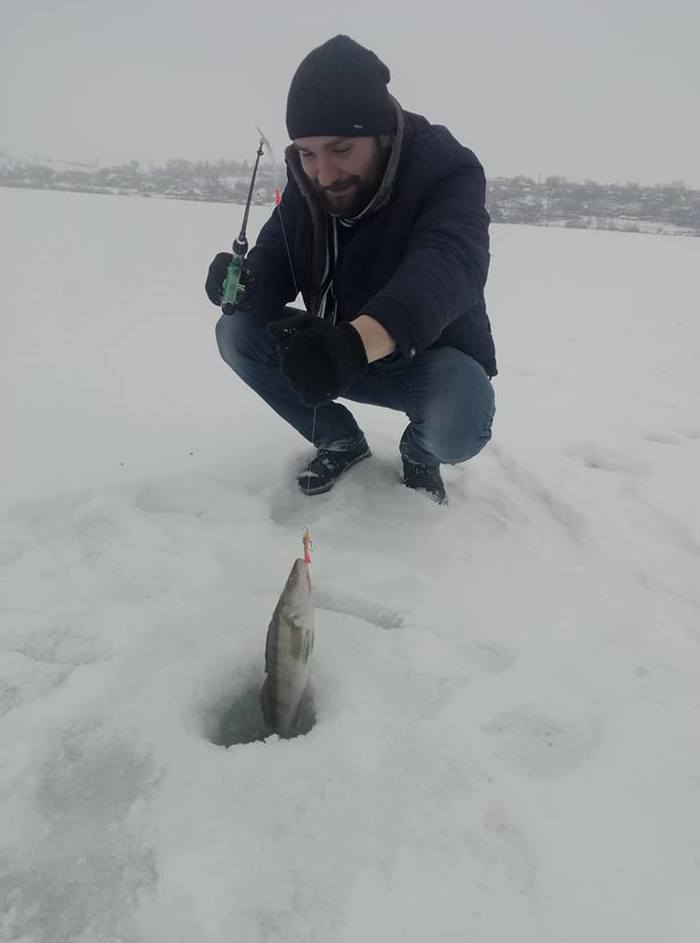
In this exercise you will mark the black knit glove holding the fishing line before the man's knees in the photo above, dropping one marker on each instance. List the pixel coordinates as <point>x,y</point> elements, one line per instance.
<point>321,359</point>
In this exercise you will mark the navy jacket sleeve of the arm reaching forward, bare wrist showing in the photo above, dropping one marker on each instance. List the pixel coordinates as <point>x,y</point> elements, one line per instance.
<point>443,272</point>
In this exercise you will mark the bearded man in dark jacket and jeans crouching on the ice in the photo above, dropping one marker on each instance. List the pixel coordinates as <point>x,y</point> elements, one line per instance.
<point>382,228</point>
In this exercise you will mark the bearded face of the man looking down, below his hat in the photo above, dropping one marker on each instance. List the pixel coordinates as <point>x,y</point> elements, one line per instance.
<point>344,172</point>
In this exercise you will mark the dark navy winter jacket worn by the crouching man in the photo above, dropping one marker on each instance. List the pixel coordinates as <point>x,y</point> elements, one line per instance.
<point>417,263</point>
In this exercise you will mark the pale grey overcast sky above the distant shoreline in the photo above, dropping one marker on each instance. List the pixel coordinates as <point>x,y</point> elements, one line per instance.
<point>607,90</point>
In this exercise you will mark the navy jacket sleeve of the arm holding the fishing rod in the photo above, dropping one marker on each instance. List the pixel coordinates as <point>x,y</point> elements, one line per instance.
<point>274,282</point>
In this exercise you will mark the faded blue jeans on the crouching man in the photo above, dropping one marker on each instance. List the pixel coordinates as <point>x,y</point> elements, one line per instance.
<point>446,395</point>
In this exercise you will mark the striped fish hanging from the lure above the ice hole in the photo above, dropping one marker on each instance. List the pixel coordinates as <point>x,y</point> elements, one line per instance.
<point>288,647</point>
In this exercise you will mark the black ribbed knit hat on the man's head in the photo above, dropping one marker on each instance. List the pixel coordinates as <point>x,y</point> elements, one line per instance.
<point>340,89</point>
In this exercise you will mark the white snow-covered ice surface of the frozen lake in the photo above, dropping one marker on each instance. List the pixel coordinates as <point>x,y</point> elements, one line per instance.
<point>506,691</point>
